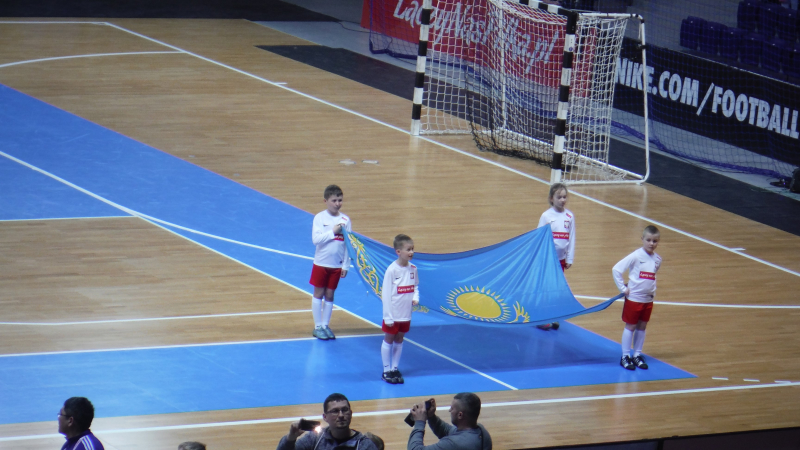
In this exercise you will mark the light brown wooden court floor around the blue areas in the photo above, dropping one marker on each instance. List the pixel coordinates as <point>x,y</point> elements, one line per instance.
<point>214,101</point>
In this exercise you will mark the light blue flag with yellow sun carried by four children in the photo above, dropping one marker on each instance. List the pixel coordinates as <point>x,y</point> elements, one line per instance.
<point>518,281</point>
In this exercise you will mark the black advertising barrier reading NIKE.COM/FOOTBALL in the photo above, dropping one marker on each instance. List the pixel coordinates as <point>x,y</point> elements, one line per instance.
<point>713,100</point>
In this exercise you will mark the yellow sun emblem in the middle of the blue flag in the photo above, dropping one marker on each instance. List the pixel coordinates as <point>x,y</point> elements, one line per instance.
<point>477,303</point>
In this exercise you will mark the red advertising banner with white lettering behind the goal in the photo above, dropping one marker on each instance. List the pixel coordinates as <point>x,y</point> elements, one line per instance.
<point>530,46</point>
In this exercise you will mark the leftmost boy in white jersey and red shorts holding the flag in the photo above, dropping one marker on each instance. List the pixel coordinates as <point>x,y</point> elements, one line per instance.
<point>331,260</point>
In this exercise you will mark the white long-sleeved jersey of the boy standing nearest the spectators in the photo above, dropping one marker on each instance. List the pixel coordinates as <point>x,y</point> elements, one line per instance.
<point>400,288</point>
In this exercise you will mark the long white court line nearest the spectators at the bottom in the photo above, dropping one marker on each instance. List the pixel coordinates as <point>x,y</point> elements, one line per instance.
<point>100,431</point>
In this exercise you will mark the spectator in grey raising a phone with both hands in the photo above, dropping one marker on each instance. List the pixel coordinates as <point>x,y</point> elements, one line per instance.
<point>464,434</point>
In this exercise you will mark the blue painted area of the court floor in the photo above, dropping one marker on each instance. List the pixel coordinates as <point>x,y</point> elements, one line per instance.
<point>144,180</point>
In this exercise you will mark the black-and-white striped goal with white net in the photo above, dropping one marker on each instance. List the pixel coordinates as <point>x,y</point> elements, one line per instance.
<point>531,80</point>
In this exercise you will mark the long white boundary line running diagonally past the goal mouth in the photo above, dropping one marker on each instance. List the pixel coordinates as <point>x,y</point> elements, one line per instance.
<point>404,131</point>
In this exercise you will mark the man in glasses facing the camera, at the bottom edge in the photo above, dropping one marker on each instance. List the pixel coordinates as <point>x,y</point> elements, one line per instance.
<point>337,413</point>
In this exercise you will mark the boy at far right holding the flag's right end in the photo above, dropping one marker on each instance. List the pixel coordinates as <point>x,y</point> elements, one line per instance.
<point>639,291</point>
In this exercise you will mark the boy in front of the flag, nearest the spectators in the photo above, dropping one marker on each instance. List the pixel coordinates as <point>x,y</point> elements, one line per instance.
<point>399,293</point>
